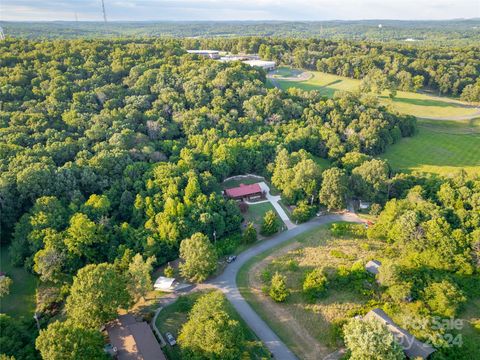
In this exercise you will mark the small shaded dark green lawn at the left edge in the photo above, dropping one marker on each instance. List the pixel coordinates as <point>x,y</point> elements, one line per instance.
<point>21,300</point>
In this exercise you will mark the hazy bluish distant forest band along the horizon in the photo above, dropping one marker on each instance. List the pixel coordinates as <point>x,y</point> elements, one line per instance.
<point>452,32</point>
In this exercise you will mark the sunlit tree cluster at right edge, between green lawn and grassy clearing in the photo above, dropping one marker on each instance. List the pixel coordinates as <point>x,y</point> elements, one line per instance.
<point>433,259</point>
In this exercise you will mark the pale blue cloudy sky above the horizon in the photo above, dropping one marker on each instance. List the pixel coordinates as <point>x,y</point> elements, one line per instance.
<point>43,10</point>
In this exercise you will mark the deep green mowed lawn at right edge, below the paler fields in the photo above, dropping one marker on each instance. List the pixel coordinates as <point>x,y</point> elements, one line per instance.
<point>441,147</point>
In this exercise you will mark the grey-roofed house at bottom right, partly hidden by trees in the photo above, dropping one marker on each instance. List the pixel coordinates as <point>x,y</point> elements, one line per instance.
<point>413,348</point>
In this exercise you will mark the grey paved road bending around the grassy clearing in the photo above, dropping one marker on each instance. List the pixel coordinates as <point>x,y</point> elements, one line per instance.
<point>226,282</point>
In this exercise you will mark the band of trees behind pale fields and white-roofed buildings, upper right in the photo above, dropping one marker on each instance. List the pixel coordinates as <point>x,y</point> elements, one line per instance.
<point>446,70</point>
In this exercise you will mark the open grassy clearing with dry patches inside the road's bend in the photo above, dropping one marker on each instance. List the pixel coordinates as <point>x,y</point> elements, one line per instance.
<point>297,319</point>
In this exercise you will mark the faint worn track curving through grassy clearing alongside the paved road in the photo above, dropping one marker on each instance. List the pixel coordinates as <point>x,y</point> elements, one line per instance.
<point>307,346</point>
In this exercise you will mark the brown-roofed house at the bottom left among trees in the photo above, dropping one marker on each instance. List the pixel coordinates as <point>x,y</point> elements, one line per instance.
<point>133,340</point>
